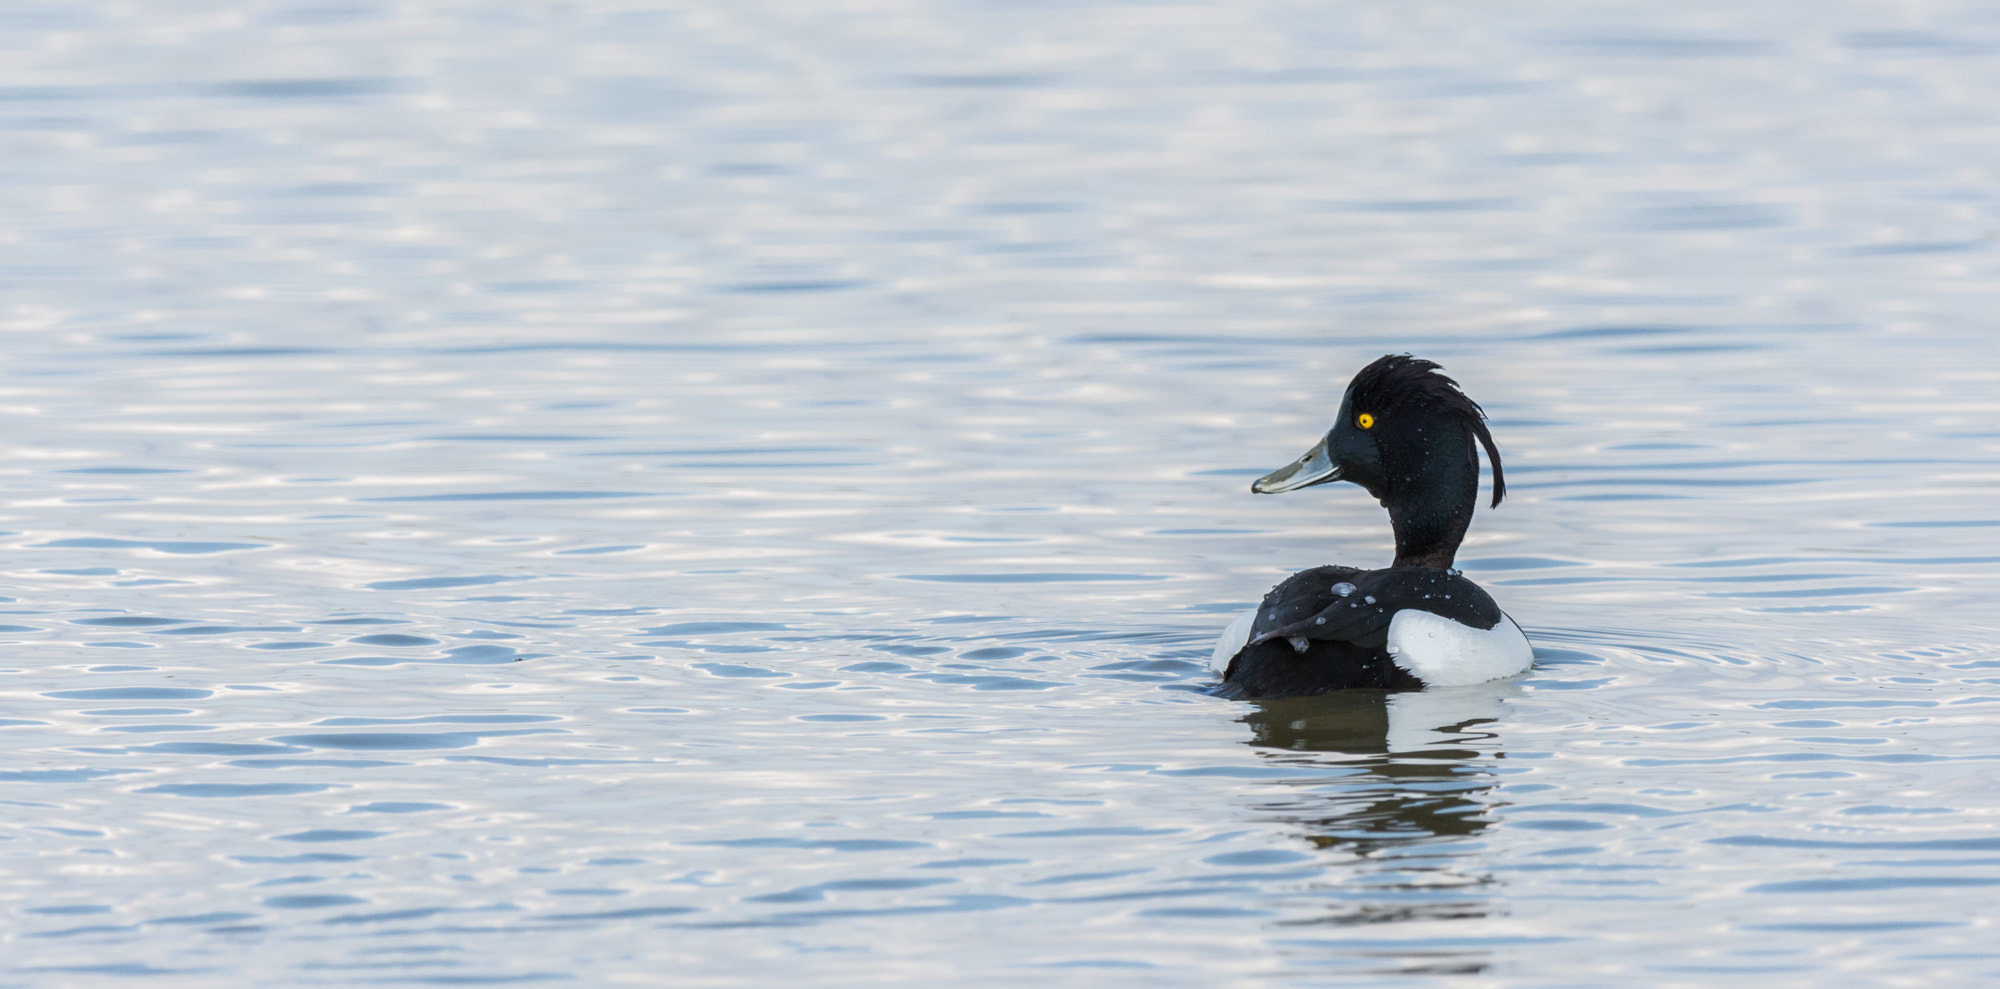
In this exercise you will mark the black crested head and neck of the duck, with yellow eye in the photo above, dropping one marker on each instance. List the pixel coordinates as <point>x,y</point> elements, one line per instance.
<point>1407,435</point>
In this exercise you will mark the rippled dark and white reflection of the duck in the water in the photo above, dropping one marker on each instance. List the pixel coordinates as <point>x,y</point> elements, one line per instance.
<point>1417,778</point>
